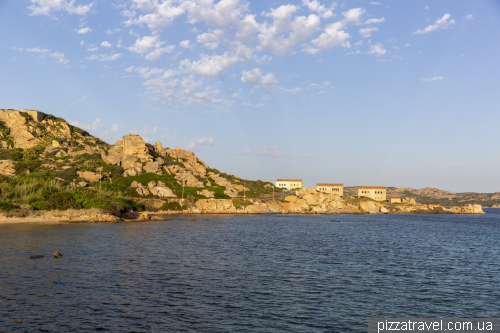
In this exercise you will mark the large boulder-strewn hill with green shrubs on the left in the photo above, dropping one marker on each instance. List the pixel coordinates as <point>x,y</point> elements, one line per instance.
<point>46,163</point>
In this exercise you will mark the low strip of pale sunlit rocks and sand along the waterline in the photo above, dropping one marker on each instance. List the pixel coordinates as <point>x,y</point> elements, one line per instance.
<point>306,201</point>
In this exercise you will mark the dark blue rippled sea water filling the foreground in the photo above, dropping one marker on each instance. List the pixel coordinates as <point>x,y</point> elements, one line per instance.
<point>278,273</point>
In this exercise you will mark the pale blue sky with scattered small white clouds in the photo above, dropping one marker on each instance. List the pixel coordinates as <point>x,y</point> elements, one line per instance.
<point>375,93</point>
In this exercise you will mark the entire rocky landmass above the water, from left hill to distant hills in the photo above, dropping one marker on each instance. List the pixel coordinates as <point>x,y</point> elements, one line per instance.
<point>51,170</point>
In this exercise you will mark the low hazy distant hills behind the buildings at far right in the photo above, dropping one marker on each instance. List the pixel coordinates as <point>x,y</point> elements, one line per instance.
<point>429,195</point>
